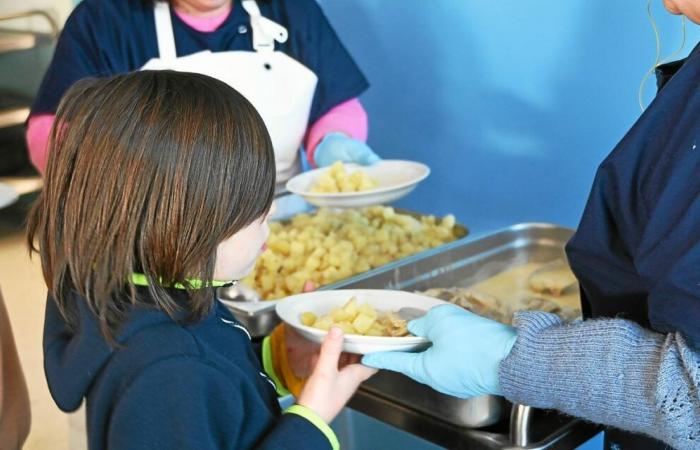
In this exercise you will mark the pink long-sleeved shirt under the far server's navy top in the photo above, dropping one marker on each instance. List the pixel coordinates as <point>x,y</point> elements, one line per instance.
<point>348,117</point>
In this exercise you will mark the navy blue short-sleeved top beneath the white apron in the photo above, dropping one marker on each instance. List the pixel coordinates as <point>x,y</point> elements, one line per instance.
<point>109,37</point>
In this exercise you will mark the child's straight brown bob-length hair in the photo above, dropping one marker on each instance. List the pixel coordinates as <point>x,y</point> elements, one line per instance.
<point>148,172</point>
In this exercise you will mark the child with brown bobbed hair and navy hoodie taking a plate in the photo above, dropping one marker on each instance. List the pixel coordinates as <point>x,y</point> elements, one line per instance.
<point>157,191</point>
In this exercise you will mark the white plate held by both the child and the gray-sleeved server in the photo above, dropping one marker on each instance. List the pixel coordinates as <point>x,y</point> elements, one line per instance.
<point>321,302</point>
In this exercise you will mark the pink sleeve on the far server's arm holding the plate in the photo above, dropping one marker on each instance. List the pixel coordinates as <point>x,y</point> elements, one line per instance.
<point>349,117</point>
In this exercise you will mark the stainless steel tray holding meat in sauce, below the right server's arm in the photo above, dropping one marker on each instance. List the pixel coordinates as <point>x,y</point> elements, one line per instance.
<point>461,264</point>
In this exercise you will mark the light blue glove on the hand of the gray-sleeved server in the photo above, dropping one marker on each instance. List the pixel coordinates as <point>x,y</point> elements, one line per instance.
<point>464,358</point>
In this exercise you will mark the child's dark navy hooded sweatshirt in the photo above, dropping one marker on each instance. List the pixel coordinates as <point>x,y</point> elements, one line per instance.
<point>169,385</point>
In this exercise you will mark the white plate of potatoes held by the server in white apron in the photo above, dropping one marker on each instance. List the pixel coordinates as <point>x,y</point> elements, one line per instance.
<point>396,179</point>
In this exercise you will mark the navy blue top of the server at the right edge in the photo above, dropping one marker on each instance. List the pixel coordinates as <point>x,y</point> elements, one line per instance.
<point>636,252</point>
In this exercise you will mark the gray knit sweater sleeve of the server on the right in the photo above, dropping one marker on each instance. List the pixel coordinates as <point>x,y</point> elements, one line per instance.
<point>608,371</point>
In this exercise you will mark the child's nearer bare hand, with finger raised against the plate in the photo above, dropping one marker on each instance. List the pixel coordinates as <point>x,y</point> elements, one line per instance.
<point>328,389</point>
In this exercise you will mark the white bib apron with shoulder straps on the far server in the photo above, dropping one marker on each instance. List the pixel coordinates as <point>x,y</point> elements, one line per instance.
<point>280,87</point>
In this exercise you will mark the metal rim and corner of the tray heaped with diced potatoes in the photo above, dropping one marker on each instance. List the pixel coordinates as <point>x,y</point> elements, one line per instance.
<point>262,320</point>
